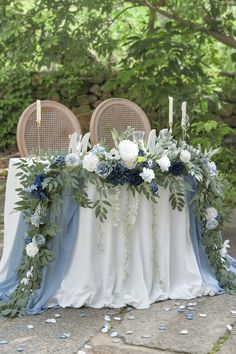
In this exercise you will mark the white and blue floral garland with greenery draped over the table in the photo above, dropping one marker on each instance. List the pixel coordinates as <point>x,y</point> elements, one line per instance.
<point>142,169</point>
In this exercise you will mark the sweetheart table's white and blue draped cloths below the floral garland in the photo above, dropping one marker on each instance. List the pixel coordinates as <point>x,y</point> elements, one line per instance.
<point>101,264</point>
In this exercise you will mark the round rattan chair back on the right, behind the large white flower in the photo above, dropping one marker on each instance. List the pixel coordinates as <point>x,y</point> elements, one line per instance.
<point>118,113</point>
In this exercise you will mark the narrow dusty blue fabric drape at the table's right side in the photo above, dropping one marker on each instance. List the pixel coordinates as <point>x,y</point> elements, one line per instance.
<point>204,265</point>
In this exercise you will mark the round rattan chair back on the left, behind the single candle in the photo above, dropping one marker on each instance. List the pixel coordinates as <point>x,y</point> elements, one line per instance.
<point>57,123</point>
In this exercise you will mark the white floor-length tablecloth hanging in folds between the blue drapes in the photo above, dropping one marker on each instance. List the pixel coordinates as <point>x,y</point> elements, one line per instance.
<point>111,268</point>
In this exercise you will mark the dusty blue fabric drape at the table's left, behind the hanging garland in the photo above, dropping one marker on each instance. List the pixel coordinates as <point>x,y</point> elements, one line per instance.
<point>62,247</point>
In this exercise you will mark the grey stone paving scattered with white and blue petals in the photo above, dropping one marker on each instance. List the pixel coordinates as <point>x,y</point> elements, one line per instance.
<point>134,331</point>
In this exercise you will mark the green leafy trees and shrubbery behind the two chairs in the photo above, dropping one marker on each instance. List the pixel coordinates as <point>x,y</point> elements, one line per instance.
<point>81,52</point>
